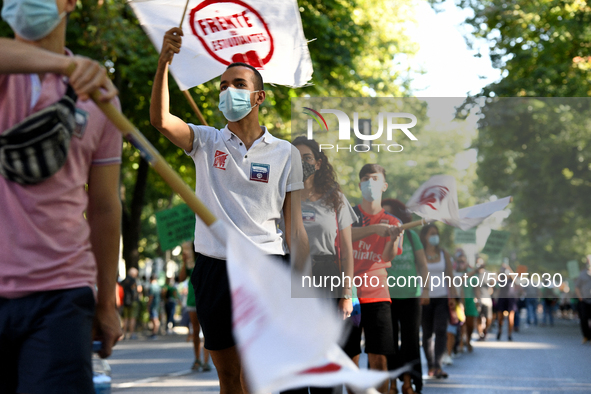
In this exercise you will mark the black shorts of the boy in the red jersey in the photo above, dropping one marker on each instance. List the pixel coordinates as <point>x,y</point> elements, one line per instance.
<point>376,322</point>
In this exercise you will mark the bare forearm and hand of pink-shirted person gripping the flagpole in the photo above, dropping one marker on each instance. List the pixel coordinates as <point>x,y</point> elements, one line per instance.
<point>22,58</point>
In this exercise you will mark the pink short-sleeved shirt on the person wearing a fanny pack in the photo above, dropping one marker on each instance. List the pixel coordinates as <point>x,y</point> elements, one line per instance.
<point>47,244</point>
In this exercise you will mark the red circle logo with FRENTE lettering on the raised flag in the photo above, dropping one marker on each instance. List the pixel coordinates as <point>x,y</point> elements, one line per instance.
<point>232,31</point>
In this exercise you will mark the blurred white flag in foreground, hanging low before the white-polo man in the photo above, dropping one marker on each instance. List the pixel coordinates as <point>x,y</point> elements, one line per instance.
<point>285,342</point>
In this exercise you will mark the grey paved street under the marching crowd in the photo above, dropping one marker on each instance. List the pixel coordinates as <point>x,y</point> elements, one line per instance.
<point>539,360</point>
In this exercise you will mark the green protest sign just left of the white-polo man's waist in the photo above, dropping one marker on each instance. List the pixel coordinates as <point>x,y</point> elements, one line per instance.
<point>174,226</point>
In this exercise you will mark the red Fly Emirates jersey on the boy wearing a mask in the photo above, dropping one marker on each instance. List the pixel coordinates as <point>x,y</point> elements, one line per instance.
<point>367,254</point>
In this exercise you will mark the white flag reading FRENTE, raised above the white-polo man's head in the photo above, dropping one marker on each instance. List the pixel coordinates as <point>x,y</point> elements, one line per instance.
<point>266,34</point>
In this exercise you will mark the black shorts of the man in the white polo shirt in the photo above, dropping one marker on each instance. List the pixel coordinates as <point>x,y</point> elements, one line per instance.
<point>213,301</point>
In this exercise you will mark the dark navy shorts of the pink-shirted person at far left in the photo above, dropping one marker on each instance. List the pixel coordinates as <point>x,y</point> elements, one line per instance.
<point>45,342</point>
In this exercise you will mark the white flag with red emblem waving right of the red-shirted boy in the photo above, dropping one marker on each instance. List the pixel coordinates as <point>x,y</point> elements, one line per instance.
<point>437,199</point>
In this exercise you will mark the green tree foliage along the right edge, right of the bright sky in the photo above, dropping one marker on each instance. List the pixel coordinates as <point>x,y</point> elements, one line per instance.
<point>538,150</point>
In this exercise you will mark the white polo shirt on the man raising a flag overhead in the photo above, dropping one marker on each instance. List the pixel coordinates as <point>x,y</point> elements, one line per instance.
<point>245,189</point>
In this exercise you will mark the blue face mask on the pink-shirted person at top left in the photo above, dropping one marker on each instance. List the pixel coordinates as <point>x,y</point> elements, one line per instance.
<point>31,19</point>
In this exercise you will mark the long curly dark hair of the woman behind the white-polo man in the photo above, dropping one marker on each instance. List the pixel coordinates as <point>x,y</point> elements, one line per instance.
<point>325,178</point>
